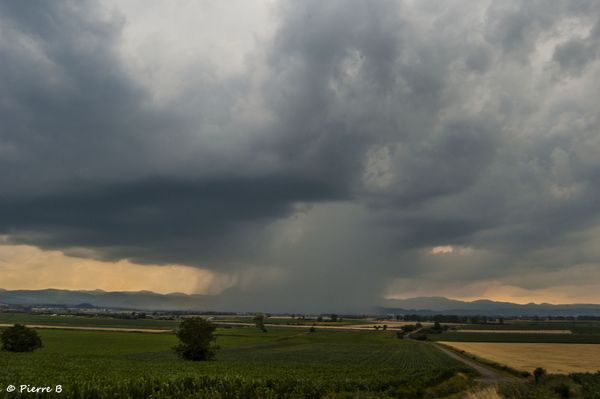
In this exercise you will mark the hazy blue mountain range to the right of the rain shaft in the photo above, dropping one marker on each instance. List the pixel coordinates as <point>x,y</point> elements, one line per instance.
<point>484,307</point>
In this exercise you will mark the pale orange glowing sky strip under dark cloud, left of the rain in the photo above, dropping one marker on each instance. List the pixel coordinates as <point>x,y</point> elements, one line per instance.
<point>28,267</point>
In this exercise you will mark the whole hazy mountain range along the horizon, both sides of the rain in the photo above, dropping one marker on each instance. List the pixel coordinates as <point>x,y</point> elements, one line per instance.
<point>147,300</point>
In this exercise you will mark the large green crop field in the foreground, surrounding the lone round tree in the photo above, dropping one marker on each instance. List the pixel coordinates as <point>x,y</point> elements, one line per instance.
<point>279,363</point>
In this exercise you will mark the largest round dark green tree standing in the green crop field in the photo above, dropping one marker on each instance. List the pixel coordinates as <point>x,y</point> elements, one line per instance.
<point>197,336</point>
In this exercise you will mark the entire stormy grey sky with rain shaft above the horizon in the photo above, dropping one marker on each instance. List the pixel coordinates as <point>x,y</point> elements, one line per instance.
<point>303,155</point>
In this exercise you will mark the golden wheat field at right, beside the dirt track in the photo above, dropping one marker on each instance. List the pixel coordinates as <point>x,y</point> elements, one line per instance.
<point>555,358</point>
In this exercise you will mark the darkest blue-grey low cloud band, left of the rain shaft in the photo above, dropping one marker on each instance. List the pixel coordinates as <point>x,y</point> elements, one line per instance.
<point>158,220</point>
